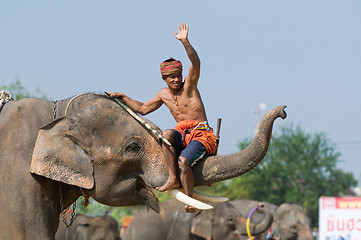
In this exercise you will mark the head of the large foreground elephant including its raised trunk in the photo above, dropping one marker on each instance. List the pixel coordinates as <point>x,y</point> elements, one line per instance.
<point>98,147</point>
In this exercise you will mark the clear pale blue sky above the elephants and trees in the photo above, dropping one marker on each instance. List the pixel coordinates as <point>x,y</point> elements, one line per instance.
<point>303,54</point>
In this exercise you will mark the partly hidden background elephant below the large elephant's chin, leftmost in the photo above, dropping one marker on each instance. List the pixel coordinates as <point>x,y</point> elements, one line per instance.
<point>89,228</point>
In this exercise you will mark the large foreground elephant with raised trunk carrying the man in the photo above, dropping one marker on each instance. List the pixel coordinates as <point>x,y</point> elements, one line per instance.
<point>53,152</point>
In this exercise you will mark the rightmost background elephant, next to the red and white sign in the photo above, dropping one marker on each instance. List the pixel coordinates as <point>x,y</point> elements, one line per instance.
<point>290,220</point>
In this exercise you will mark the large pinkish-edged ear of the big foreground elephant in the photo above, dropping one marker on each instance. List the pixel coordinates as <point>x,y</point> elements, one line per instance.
<point>57,155</point>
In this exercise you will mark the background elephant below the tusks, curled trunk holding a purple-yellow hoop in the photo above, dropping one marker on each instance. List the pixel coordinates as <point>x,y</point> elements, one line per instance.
<point>220,223</point>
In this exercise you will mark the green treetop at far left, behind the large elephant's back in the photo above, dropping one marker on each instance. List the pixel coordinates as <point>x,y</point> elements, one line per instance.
<point>18,91</point>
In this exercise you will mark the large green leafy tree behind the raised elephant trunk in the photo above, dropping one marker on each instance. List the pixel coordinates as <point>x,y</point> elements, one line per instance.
<point>298,168</point>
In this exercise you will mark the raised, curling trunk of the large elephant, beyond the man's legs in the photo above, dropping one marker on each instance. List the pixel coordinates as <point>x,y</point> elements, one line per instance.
<point>219,168</point>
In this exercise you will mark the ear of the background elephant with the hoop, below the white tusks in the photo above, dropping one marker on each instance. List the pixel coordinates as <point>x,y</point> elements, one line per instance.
<point>202,224</point>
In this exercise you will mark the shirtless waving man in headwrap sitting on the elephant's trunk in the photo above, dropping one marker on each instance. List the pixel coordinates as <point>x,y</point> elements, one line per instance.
<point>192,138</point>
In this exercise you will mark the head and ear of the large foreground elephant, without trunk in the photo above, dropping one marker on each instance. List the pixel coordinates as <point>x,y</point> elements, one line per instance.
<point>99,148</point>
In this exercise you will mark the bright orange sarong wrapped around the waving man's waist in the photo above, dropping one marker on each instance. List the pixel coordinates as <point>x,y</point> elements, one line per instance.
<point>194,130</point>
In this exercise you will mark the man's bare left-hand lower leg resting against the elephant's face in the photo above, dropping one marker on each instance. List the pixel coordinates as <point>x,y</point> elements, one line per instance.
<point>170,156</point>
